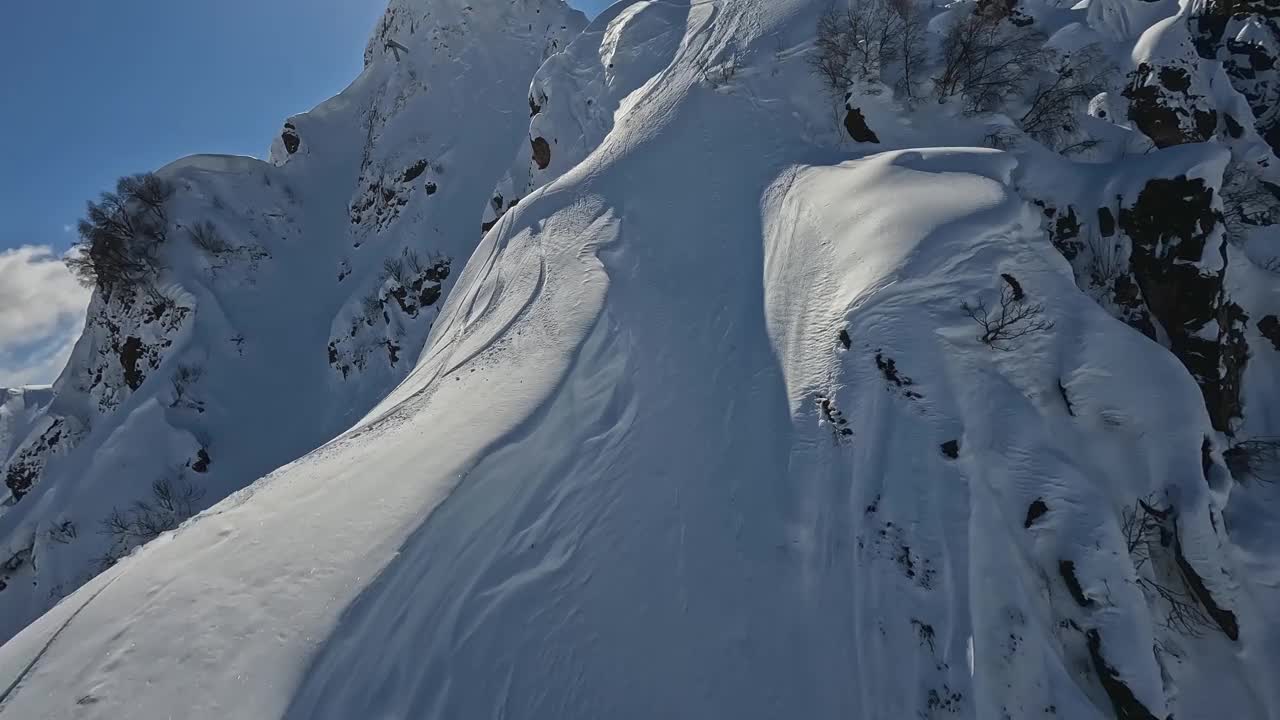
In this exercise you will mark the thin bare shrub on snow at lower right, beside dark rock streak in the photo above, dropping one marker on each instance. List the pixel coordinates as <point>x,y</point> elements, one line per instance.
<point>1151,539</point>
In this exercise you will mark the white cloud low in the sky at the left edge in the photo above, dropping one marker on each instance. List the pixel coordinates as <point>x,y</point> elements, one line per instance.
<point>42,315</point>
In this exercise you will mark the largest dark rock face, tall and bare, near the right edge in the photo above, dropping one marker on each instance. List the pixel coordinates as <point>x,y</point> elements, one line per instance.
<point>1171,226</point>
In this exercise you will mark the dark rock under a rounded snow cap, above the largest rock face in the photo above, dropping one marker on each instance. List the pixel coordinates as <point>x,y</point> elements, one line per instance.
<point>1165,108</point>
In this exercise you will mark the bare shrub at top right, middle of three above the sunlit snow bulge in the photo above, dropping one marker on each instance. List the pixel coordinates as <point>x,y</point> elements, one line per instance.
<point>985,61</point>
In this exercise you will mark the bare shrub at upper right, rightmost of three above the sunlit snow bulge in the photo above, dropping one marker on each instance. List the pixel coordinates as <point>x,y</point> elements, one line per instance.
<point>1053,116</point>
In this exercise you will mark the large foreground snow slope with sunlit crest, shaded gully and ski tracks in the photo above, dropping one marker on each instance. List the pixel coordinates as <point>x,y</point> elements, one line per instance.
<point>705,430</point>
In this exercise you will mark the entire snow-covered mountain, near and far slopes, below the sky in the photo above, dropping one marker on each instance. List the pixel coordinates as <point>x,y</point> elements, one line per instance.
<point>749,403</point>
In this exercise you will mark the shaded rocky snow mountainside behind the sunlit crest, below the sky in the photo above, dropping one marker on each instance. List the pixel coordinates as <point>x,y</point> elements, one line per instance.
<point>294,297</point>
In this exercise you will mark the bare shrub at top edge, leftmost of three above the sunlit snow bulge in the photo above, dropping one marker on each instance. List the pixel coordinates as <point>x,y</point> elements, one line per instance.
<point>865,39</point>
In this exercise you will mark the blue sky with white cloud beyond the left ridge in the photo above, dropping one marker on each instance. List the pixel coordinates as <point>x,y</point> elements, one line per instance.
<point>94,90</point>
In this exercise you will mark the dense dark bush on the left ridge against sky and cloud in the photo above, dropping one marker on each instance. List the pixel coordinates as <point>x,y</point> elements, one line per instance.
<point>121,235</point>
